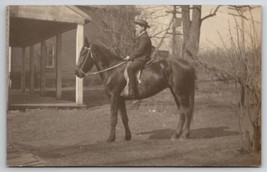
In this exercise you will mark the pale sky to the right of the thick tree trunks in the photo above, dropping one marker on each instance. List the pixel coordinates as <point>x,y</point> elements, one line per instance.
<point>221,24</point>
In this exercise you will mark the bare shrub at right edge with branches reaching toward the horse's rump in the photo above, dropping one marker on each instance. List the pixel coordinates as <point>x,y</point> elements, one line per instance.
<point>243,66</point>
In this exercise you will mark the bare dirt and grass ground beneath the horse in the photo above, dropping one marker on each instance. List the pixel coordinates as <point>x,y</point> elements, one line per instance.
<point>77,137</point>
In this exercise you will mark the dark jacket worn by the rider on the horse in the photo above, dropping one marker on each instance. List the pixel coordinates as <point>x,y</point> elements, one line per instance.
<point>142,48</point>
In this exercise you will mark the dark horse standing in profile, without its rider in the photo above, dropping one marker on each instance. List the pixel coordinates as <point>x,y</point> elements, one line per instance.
<point>175,74</point>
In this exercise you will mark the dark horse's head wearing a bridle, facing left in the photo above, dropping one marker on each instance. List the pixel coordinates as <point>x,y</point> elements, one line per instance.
<point>86,60</point>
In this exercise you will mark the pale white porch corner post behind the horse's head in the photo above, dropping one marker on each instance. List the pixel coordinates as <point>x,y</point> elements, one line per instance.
<point>79,81</point>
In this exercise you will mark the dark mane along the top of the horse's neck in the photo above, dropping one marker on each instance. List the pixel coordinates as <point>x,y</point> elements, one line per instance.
<point>106,50</point>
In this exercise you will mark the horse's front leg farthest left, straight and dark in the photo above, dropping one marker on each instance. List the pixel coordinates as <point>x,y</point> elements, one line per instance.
<point>113,118</point>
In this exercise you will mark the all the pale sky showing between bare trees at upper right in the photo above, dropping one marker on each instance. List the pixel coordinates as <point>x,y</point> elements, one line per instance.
<point>213,29</point>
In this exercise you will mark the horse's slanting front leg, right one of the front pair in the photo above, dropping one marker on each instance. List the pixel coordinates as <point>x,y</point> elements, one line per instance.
<point>124,118</point>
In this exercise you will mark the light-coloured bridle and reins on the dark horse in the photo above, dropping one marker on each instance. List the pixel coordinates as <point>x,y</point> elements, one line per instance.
<point>94,59</point>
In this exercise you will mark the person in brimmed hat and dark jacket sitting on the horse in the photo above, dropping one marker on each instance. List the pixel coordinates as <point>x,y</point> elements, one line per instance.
<point>140,56</point>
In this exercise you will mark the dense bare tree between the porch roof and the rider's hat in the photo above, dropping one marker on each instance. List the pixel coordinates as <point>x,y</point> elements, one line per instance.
<point>115,23</point>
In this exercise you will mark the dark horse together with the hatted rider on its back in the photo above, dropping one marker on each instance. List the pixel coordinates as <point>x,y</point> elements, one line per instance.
<point>174,73</point>
